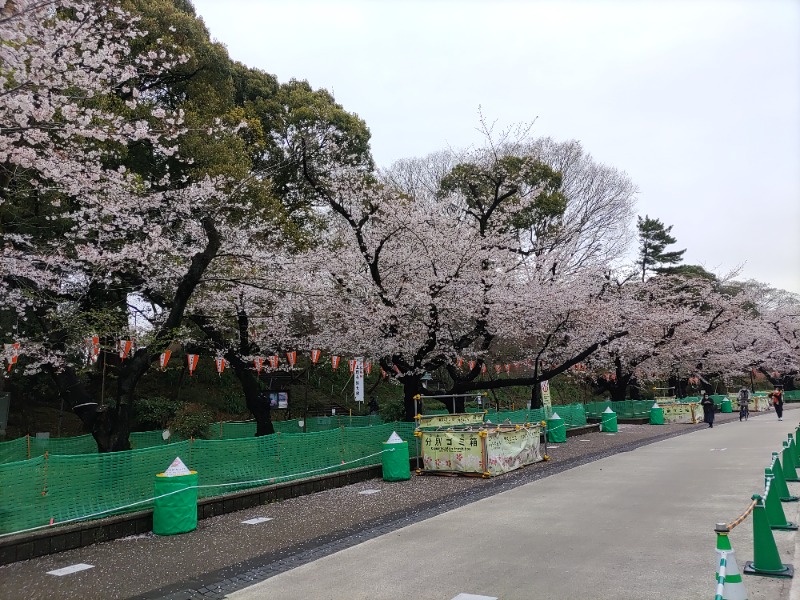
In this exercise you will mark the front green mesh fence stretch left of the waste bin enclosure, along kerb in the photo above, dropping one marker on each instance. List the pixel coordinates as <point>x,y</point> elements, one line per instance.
<point>63,487</point>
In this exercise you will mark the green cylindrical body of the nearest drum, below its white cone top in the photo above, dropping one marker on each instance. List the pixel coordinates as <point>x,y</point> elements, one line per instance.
<point>176,513</point>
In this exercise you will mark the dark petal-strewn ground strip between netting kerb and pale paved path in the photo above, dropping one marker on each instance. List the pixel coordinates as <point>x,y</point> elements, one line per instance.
<point>224,554</point>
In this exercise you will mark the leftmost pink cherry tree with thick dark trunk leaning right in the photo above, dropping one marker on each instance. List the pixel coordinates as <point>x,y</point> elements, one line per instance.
<point>71,112</point>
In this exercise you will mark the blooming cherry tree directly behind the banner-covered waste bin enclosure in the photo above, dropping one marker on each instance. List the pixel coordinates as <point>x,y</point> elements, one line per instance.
<point>434,267</point>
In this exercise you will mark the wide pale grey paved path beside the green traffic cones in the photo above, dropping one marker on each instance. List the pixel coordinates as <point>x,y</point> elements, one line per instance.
<point>635,525</point>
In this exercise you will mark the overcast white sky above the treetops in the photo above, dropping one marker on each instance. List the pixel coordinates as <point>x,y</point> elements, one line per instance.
<point>698,101</point>
